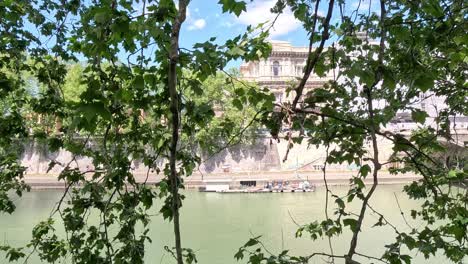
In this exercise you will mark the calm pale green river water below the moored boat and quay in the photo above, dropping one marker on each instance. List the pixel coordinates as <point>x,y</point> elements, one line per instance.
<point>215,225</point>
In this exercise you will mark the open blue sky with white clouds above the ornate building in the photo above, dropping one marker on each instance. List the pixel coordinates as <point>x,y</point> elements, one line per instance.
<point>205,19</point>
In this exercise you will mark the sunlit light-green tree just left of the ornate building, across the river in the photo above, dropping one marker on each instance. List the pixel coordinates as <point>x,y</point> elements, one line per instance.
<point>236,118</point>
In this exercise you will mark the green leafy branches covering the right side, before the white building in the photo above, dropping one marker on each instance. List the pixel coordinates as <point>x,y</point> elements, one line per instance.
<point>406,54</point>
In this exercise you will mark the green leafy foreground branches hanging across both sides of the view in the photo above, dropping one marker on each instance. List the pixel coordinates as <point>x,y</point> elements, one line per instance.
<point>111,83</point>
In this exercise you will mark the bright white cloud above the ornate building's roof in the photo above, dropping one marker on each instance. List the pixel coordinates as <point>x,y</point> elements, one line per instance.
<point>259,12</point>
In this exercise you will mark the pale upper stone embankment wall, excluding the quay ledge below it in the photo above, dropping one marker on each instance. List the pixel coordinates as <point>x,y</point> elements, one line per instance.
<point>266,155</point>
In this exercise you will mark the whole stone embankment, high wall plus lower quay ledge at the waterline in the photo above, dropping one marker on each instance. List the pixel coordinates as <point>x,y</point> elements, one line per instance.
<point>261,162</point>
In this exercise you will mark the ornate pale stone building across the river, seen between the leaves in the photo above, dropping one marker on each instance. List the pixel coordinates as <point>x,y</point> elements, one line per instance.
<point>285,67</point>
